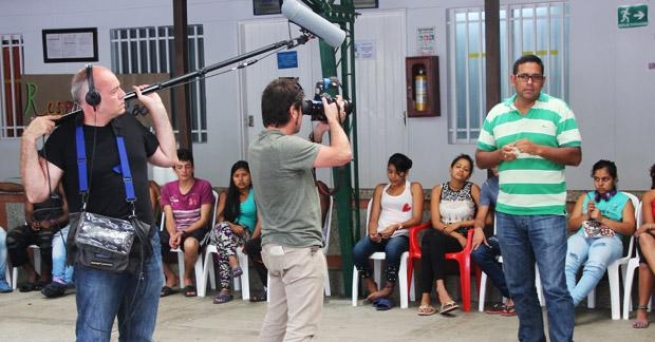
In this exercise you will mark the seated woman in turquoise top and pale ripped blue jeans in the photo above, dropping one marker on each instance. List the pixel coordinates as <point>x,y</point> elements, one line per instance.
<point>601,217</point>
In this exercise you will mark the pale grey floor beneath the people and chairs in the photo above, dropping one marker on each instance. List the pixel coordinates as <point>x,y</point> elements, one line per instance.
<point>30,317</point>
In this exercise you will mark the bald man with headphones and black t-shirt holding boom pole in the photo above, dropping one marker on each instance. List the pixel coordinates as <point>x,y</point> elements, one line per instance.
<point>103,295</point>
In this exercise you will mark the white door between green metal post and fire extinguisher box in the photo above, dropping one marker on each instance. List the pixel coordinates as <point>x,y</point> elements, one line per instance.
<point>380,89</point>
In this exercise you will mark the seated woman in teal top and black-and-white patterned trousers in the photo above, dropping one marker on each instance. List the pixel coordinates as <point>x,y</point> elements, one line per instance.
<point>238,224</point>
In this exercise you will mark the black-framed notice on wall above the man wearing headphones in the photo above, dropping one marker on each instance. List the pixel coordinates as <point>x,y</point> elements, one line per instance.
<point>70,45</point>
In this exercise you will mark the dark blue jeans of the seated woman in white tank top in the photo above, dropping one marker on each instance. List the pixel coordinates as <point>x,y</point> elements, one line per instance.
<point>394,249</point>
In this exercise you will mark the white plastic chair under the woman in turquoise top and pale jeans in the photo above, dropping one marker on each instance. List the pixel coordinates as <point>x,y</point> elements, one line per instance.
<point>613,271</point>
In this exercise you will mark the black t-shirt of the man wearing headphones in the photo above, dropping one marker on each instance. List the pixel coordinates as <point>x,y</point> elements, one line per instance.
<point>106,187</point>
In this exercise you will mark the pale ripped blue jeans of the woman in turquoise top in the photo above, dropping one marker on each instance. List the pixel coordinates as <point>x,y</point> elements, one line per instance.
<point>596,255</point>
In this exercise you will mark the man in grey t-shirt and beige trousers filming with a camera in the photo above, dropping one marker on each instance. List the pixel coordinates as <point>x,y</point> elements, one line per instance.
<point>281,167</point>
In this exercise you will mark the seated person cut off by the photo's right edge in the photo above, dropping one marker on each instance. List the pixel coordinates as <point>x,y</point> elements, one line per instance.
<point>646,250</point>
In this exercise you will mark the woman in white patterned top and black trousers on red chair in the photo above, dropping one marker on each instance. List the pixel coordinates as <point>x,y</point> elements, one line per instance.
<point>453,207</point>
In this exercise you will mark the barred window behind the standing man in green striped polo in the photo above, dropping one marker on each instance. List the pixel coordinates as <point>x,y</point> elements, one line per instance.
<point>535,28</point>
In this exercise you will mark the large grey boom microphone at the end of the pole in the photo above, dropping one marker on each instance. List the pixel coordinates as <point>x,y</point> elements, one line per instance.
<point>312,22</point>
